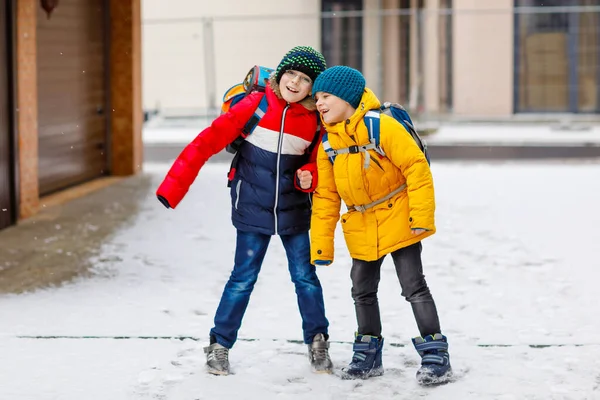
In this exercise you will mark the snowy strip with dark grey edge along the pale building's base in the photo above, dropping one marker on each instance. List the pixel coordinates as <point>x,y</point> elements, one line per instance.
<point>165,138</point>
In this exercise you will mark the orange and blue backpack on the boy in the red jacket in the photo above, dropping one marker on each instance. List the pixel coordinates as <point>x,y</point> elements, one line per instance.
<point>255,81</point>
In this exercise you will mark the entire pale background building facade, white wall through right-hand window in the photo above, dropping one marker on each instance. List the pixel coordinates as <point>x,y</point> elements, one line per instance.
<point>454,58</point>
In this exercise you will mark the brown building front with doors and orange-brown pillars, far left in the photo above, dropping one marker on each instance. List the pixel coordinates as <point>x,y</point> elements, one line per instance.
<point>70,104</point>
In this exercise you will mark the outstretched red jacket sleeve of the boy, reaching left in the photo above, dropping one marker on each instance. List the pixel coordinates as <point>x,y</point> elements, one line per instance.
<point>223,130</point>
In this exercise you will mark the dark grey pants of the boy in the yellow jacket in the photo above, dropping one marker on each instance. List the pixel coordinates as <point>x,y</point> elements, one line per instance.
<point>365,282</point>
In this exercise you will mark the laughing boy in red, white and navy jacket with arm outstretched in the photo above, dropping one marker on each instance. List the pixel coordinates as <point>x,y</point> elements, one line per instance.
<point>269,196</point>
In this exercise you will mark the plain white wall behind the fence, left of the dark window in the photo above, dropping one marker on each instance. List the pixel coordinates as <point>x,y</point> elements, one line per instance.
<point>246,32</point>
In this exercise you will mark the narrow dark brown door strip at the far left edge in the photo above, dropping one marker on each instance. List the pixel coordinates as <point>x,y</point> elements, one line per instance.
<point>7,211</point>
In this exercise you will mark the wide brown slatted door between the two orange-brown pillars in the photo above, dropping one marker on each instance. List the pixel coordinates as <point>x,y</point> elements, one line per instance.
<point>71,94</point>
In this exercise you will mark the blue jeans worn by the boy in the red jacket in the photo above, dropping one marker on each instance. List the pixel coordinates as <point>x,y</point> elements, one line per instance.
<point>249,255</point>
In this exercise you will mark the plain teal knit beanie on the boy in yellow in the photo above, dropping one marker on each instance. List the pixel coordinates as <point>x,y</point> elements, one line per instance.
<point>344,82</point>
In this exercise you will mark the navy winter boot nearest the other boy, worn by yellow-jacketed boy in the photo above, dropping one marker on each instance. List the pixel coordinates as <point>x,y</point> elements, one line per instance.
<point>366,360</point>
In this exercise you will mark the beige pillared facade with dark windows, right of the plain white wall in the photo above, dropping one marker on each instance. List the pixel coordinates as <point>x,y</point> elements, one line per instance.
<point>473,59</point>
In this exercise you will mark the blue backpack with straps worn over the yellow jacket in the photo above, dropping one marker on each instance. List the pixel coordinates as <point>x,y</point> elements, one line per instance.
<point>371,120</point>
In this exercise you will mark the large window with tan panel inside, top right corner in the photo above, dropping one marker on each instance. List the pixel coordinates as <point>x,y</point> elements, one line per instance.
<point>557,57</point>
